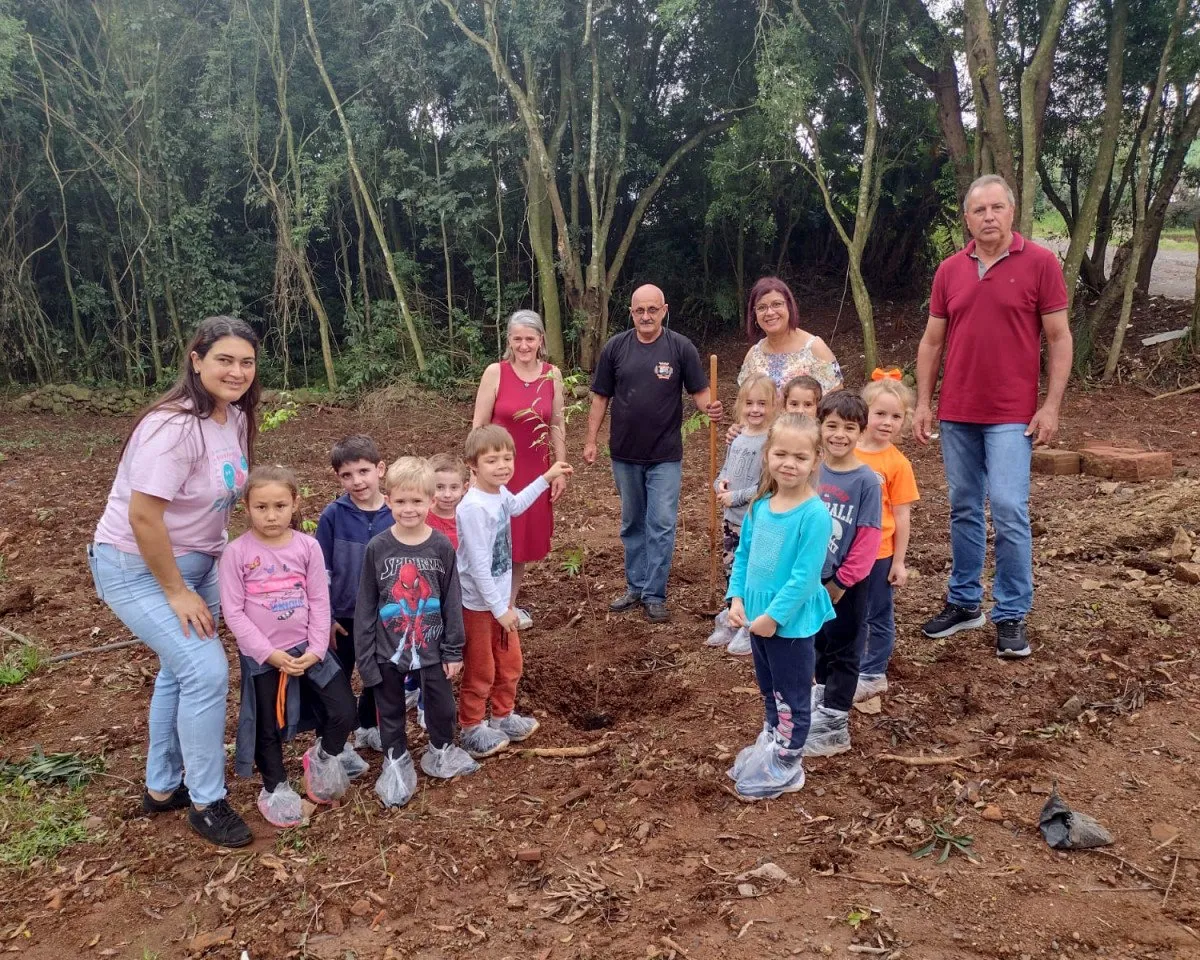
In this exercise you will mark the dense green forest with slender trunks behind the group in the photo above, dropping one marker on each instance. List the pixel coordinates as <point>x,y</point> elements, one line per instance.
<point>377,184</point>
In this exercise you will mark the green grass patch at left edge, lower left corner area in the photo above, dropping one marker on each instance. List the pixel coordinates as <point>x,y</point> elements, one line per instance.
<point>39,826</point>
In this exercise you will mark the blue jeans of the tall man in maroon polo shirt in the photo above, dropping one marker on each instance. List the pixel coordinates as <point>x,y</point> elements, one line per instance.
<point>993,461</point>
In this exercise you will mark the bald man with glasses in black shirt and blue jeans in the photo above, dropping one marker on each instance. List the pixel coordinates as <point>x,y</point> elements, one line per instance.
<point>644,374</point>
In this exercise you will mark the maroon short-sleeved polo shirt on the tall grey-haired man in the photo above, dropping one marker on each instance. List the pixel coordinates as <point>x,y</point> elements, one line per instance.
<point>994,332</point>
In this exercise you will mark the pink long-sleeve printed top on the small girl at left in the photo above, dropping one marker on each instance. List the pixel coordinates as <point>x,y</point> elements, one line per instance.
<point>275,597</point>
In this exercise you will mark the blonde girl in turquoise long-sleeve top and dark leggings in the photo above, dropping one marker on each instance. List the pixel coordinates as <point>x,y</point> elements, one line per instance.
<point>776,591</point>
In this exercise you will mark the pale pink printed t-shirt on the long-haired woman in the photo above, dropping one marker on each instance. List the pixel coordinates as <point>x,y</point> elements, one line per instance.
<point>197,466</point>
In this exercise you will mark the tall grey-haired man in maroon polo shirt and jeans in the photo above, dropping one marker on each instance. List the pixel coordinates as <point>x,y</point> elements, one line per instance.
<point>991,307</point>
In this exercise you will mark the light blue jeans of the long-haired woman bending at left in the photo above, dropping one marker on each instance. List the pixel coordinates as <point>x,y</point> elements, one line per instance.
<point>188,710</point>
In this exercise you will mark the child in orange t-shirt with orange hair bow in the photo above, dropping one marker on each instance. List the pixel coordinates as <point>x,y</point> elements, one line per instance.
<point>889,403</point>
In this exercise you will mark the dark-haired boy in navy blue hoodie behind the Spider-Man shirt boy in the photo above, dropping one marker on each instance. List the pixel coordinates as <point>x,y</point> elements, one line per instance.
<point>344,532</point>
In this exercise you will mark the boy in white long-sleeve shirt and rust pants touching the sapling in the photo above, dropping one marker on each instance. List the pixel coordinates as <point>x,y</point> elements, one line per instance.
<point>493,653</point>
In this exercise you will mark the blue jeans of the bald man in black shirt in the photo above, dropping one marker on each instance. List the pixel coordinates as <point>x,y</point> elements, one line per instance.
<point>650,507</point>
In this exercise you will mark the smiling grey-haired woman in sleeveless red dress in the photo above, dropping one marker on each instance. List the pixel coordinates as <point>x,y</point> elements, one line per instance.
<point>524,394</point>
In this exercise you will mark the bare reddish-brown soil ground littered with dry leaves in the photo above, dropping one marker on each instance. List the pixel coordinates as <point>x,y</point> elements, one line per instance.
<point>641,847</point>
